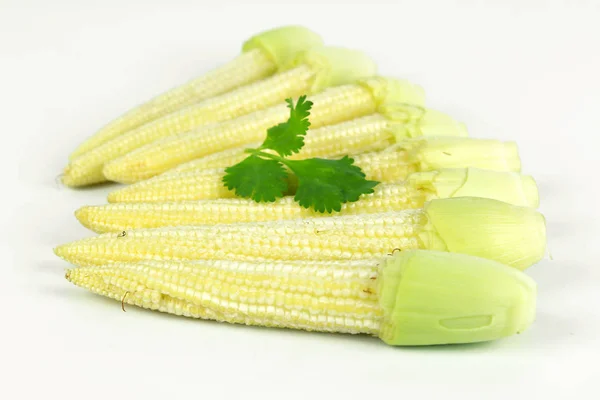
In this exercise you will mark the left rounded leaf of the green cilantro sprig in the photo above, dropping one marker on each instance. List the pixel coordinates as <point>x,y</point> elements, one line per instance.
<point>262,180</point>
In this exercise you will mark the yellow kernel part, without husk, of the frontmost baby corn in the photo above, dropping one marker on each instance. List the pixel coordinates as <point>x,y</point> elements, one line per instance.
<point>321,296</point>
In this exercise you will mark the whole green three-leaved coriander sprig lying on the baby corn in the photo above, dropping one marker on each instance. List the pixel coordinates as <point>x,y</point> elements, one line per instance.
<point>323,184</point>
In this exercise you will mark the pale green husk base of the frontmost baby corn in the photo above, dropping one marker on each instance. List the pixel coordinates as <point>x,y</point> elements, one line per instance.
<point>431,297</point>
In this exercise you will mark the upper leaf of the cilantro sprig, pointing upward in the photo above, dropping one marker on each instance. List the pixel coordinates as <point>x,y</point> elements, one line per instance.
<point>287,138</point>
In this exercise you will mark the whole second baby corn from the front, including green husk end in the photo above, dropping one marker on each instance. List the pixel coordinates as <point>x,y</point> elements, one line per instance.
<point>483,227</point>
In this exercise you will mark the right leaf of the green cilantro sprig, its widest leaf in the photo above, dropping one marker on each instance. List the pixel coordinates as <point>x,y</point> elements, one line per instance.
<point>325,185</point>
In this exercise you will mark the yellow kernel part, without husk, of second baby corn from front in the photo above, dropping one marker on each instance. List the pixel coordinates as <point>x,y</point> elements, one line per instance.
<point>325,238</point>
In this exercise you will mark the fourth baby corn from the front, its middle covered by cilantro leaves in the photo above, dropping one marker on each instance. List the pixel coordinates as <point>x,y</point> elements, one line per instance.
<point>191,182</point>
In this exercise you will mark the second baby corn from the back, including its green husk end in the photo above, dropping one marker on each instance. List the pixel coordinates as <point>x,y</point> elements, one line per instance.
<point>313,71</point>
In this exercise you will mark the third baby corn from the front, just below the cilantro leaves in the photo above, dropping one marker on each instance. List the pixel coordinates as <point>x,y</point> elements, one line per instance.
<point>413,193</point>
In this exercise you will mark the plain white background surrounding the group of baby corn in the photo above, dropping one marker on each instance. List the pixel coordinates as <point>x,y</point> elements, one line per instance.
<point>514,70</point>
